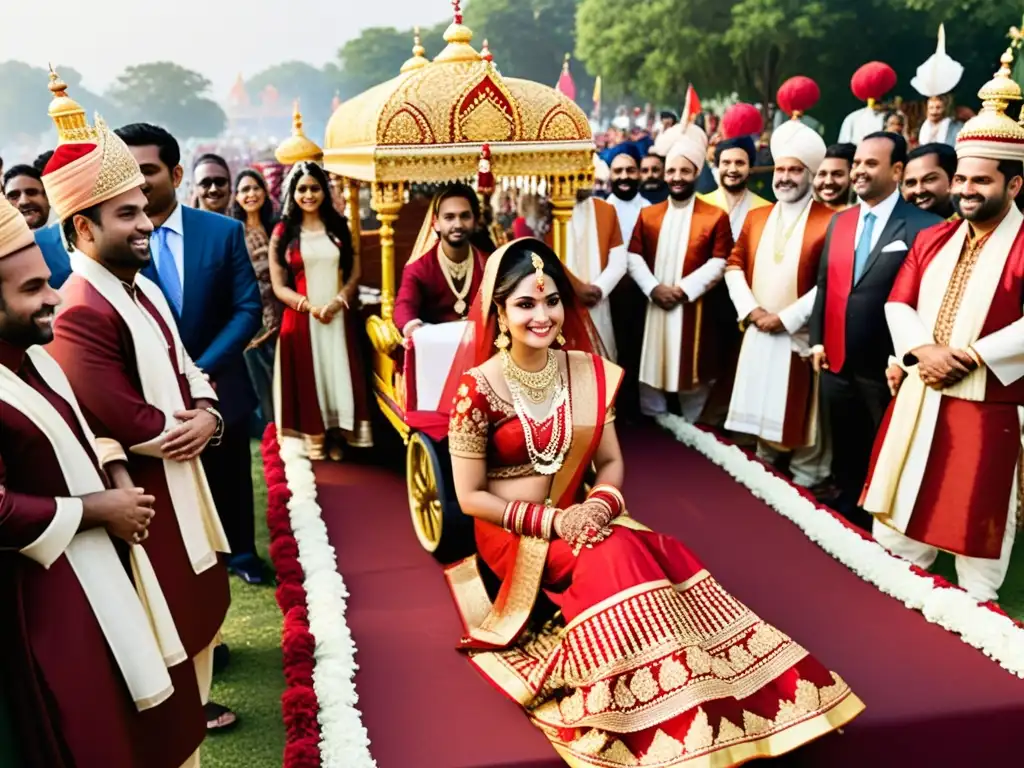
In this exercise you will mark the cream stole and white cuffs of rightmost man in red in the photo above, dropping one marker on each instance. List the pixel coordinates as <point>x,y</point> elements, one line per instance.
<point>902,463</point>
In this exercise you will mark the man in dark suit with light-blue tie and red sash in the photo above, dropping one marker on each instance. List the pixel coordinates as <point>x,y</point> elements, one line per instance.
<point>865,250</point>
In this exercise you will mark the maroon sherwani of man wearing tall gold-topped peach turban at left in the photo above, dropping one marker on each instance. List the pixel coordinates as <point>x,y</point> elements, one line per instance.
<point>95,348</point>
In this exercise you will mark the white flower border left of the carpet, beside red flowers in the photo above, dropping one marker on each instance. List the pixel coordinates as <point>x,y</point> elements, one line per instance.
<point>345,742</point>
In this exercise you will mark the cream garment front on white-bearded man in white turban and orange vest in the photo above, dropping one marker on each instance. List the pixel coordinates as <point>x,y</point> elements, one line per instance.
<point>759,398</point>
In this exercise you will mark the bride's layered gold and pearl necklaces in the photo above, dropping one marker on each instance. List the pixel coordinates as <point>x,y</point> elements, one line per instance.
<point>527,386</point>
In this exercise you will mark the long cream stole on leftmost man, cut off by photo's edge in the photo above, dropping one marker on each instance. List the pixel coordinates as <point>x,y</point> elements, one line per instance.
<point>124,617</point>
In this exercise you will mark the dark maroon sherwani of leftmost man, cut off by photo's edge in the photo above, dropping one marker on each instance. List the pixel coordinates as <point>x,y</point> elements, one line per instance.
<point>70,702</point>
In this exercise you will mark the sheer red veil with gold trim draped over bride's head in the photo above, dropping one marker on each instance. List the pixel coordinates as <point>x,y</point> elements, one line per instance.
<point>478,345</point>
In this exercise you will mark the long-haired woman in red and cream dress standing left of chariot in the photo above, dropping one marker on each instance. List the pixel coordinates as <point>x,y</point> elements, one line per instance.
<point>320,386</point>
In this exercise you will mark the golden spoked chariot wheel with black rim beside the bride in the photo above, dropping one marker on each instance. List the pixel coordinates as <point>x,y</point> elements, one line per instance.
<point>440,525</point>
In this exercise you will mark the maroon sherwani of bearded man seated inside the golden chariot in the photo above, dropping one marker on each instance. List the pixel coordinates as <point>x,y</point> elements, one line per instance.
<point>425,295</point>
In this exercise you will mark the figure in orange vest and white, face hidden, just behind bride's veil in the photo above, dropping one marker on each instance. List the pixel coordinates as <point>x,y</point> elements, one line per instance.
<point>596,261</point>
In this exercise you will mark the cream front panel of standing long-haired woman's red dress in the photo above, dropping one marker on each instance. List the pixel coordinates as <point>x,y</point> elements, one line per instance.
<point>330,347</point>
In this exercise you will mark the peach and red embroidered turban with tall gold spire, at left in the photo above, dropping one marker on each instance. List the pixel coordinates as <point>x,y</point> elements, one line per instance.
<point>91,165</point>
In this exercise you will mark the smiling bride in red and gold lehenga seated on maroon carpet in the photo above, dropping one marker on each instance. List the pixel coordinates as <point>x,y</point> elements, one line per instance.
<point>620,646</point>
